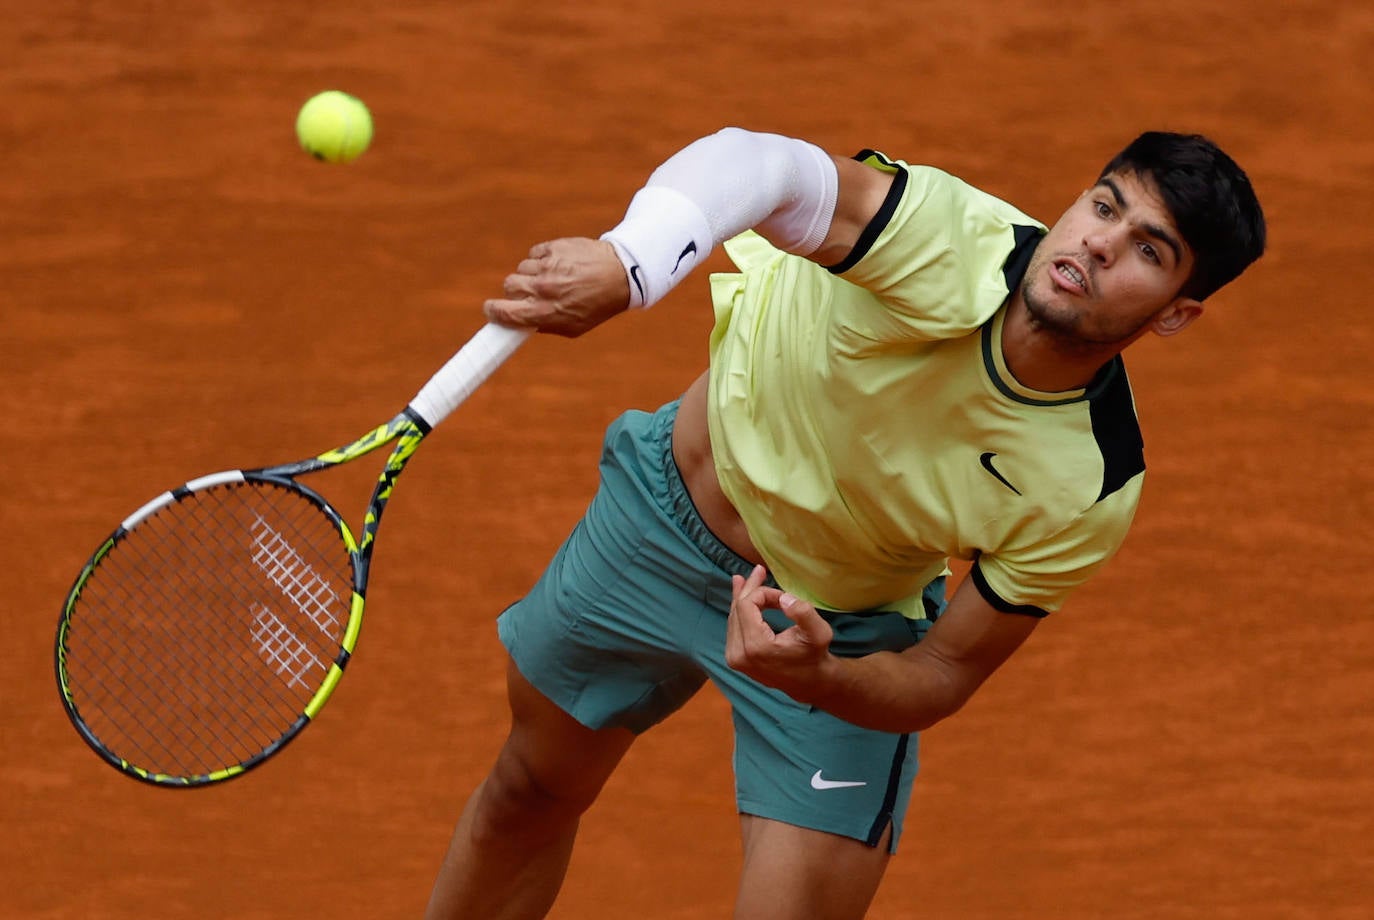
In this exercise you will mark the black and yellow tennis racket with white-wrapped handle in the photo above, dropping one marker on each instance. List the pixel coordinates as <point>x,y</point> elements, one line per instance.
<point>212,627</point>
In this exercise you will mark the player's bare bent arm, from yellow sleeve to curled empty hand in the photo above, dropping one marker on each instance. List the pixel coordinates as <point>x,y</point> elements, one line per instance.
<point>906,691</point>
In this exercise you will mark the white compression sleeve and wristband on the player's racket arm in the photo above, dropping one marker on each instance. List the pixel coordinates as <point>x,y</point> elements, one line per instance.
<point>715,189</point>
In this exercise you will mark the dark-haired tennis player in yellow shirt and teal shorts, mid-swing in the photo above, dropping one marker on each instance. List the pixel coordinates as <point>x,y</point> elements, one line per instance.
<point>903,371</point>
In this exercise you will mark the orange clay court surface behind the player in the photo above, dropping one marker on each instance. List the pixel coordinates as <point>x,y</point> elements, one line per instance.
<point>185,290</point>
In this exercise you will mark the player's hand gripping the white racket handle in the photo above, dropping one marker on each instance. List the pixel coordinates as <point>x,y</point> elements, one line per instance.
<point>565,286</point>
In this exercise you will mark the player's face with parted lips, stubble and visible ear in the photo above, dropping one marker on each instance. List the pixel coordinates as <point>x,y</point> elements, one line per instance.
<point>1112,267</point>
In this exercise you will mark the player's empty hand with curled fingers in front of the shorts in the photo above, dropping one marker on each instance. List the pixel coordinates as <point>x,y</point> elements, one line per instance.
<point>793,661</point>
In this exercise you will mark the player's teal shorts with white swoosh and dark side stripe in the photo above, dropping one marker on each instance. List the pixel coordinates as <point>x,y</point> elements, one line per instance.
<point>629,621</point>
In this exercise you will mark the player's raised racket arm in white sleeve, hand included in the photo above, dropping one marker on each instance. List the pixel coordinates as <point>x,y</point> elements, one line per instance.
<point>796,196</point>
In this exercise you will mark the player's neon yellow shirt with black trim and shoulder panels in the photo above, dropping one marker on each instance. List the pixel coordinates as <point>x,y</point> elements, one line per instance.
<point>868,430</point>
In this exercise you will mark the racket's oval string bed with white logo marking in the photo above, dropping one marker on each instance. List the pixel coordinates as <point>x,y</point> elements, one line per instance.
<point>201,636</point>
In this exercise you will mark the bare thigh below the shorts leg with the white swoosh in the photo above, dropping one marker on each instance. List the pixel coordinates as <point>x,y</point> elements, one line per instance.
<point>799,874</point>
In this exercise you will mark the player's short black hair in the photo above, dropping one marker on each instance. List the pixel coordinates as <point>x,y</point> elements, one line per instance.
<point>1210,198</point>
